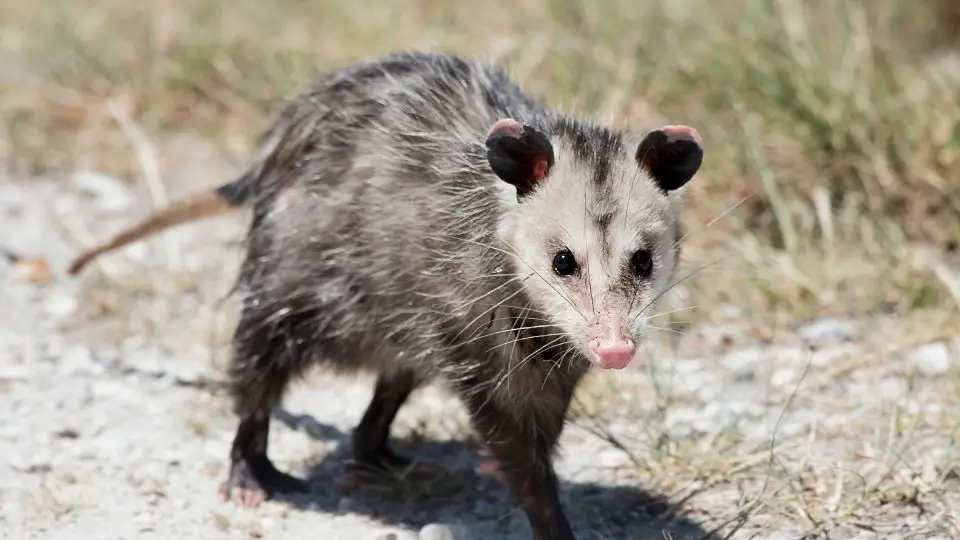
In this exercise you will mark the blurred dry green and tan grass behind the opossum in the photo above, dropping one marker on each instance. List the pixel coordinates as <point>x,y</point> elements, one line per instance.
<point>832,127</point>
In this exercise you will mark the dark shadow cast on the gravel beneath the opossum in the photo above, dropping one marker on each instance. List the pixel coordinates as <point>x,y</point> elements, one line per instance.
<point>478,502</point>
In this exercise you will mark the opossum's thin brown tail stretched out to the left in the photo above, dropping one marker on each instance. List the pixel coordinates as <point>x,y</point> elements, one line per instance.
<point>205,204</point>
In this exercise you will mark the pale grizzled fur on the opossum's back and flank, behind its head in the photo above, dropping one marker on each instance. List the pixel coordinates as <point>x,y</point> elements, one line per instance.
<point>388,203</point>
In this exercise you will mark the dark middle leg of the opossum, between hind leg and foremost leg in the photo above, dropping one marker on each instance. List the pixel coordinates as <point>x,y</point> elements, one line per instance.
<point>371,448</point>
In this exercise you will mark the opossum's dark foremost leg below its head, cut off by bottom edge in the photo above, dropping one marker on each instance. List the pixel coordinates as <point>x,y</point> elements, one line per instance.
<point>521,435</point>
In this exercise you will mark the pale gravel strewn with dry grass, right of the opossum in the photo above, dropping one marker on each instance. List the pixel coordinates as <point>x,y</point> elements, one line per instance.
<point>827,444</point>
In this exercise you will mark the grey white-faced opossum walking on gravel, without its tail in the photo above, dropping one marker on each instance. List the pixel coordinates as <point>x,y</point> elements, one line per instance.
<point>419,216</point>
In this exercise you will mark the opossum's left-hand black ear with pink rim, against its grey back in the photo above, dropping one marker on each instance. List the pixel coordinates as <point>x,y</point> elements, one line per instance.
<point>519,154</point>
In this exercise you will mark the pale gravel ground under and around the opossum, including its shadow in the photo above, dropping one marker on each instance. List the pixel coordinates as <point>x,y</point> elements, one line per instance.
<point>113,424</point>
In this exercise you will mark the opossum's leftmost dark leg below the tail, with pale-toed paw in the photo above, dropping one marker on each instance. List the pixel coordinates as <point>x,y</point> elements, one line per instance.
<point>264,361</point>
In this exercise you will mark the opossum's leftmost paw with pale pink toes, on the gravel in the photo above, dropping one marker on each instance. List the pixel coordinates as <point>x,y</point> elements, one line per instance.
<point>251,482</point>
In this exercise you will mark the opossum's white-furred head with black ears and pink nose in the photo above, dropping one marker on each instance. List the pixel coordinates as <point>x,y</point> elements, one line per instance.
<point>594,225</point>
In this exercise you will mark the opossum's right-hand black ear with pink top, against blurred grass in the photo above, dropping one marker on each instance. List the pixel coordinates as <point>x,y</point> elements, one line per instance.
<point>671,154</point>
